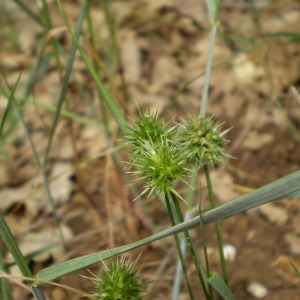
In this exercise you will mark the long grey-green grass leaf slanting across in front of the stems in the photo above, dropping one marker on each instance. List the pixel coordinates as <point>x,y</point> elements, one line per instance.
<point>285,187</point>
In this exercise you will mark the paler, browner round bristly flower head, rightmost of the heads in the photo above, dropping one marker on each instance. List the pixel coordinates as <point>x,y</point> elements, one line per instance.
<point>202,140</point>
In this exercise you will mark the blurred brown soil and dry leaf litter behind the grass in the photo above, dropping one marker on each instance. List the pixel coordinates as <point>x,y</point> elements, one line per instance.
<point>163,45</point>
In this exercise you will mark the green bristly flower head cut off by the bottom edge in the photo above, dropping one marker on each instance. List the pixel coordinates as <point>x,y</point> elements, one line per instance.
<point>118,281</point>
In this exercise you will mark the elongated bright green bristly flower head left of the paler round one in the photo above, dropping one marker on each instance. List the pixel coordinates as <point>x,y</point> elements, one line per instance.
<point>154,154</point>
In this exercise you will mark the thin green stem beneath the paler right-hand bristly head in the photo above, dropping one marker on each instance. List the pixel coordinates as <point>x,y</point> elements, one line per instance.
<point>217,225</point>
